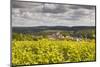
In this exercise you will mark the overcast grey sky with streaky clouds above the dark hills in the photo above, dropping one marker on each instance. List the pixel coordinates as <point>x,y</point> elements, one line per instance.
<point>45,14</point>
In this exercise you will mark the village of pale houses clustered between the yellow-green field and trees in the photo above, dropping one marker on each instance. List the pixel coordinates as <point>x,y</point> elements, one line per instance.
<point>58,36</point>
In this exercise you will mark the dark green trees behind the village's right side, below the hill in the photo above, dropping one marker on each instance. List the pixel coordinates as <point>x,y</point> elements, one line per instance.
<point>89,34</point>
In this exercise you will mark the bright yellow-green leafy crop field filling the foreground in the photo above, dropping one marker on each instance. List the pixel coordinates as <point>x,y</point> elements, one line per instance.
<point>46,51</point>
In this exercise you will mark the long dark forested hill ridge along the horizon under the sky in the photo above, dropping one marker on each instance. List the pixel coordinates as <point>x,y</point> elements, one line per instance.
<point>52,28</point>
